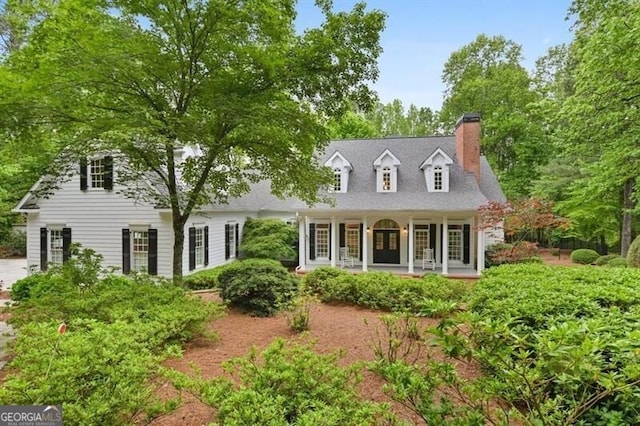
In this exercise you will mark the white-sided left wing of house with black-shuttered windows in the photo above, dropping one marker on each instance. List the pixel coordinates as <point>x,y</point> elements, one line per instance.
<point>130,235</point>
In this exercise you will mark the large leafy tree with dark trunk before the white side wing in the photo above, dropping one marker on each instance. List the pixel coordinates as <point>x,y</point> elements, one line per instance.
<point>231,80</point>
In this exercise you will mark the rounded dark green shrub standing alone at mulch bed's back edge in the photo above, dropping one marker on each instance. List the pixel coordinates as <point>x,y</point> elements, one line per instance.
<point>258,286</point>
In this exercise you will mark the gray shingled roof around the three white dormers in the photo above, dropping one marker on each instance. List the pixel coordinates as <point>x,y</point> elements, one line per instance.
<point>464,193</point>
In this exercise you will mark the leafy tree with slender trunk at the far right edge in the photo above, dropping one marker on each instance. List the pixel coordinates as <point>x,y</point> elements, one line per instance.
<point>602,115</point>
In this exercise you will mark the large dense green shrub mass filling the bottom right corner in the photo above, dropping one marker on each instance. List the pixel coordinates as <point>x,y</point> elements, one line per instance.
<point>558,340</point>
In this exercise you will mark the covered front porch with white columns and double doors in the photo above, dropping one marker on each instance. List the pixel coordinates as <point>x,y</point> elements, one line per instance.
<point>410,244</point>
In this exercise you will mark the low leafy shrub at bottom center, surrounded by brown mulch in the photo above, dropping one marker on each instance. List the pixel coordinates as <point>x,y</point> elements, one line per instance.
<point>287,384</point>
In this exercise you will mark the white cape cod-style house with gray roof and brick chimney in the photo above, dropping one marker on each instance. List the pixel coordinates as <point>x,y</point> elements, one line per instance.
<point>406,203</point>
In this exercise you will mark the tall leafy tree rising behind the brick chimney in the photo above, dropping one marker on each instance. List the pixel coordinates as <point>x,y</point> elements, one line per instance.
<point>486,75</point>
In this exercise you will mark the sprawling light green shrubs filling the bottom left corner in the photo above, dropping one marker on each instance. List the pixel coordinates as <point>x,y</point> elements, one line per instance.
<point>118,331</point>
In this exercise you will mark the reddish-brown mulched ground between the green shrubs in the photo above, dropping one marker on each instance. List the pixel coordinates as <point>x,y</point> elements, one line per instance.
<point>333,327</point>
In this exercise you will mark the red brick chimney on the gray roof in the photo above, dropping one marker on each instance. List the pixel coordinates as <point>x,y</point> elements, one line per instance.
<point>468,143</point>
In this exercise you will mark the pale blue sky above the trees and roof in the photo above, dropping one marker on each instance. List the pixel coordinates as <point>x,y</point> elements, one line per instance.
<point>420,35</point>
